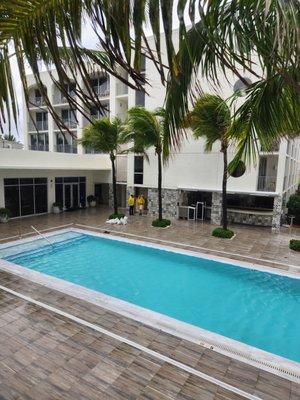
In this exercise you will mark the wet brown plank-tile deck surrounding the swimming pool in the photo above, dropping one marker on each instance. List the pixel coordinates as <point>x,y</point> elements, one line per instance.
<point>47,355</point>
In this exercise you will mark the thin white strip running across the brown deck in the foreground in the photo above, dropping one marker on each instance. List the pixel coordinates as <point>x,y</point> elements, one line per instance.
<point>135,345</point>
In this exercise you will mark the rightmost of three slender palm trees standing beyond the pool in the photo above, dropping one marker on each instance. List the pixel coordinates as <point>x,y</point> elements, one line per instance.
<point>211,119</point>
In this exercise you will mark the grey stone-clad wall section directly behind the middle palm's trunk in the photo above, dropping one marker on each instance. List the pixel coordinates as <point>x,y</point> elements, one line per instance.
<point>170,198</point>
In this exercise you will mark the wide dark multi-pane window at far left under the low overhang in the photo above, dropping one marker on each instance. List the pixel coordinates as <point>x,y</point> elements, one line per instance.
<point>26,196</point>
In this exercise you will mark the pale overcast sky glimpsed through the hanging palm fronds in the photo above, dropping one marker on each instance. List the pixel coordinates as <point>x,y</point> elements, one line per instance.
<point>89,39</point>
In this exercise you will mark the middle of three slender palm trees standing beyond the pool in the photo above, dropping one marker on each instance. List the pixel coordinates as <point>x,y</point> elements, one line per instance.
<point>148,129</point>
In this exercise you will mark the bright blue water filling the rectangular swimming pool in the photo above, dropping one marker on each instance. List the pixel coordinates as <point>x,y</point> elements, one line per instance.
<point>256,308</point>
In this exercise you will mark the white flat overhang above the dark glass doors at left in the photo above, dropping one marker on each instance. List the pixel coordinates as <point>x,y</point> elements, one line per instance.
<point>15,159</point>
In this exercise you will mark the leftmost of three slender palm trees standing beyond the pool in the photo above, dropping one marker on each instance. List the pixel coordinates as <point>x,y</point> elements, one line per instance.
<point>105,136</point>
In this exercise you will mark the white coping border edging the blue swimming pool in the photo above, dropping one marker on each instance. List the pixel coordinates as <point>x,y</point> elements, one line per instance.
<point>259,358</point>
